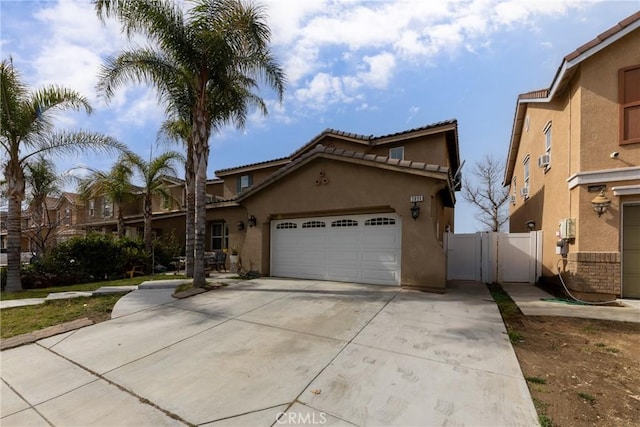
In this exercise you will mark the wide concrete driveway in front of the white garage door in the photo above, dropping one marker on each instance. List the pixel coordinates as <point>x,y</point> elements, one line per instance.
<point>276,352</point>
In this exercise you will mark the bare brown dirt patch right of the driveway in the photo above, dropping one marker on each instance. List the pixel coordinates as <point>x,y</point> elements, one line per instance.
<point>581,372</point>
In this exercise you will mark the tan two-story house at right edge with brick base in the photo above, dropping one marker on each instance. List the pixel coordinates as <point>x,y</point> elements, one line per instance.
<point>573,145</point>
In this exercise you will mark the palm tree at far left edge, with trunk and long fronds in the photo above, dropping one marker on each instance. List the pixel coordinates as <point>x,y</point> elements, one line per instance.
<point>27,130</point>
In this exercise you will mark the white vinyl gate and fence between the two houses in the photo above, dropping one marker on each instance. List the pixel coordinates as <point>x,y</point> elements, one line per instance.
<point>494,257</point>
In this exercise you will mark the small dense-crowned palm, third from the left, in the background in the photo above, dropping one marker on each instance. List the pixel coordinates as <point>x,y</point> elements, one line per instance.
<point>114,186</point>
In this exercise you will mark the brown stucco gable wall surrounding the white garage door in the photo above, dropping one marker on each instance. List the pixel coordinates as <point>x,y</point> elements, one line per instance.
<point>353,189</point>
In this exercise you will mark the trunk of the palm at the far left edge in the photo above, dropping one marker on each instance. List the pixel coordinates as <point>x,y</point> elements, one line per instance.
<point>15,185</point>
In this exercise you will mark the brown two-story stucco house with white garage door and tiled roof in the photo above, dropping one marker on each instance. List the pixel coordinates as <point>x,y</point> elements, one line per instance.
<point>344,207</point>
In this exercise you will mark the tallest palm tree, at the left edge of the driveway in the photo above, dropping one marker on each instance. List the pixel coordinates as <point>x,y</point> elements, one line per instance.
<point>205,65</point>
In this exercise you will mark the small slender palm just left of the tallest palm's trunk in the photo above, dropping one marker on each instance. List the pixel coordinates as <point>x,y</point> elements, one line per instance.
<point>152,174</point>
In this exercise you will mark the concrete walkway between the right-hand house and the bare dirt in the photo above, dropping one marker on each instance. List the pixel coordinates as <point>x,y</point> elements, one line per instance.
<point>530,300</point>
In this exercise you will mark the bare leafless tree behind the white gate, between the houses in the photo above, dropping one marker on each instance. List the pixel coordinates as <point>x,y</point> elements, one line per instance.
<point>487,193</point>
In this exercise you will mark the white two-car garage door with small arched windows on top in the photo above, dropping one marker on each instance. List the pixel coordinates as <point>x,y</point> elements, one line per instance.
<point>351,248</point>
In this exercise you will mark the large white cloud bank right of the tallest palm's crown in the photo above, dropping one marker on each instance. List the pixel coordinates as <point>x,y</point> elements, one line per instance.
<point>315,36</point>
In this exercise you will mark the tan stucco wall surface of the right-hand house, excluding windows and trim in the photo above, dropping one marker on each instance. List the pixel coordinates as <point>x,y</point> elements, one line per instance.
<point>585,125</point>
